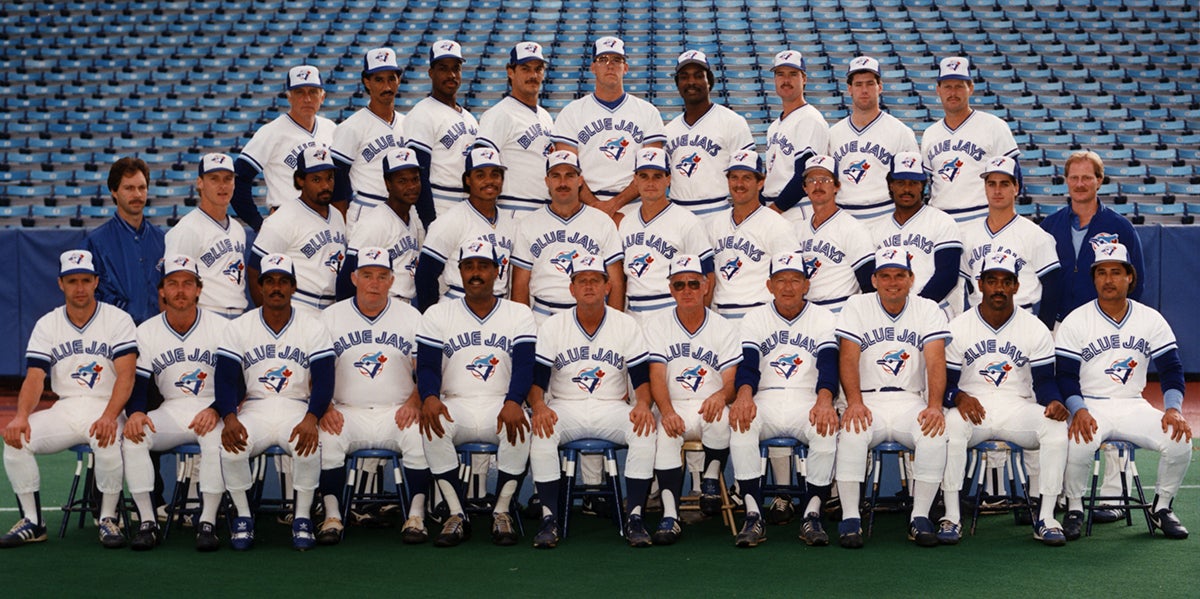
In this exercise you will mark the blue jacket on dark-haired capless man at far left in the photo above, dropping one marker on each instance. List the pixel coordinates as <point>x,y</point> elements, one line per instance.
<point>128,263</point>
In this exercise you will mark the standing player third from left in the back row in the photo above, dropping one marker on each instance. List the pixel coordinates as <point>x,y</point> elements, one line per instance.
<point>441,133</point>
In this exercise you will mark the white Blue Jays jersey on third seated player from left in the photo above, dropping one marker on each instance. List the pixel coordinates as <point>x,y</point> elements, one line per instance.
<point>277,364</point>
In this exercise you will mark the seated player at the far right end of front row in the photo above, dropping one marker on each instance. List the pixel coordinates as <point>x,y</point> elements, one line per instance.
<point>1105,350</point>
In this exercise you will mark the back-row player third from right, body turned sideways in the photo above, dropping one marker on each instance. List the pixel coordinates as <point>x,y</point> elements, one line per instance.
<point>797,135</point>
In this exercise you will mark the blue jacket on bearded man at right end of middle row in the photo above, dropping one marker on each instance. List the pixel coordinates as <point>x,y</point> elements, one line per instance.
<point>1077,271</point>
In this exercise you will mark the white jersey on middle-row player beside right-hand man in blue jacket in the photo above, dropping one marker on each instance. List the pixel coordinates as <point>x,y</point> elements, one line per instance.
<point>1035,251</point>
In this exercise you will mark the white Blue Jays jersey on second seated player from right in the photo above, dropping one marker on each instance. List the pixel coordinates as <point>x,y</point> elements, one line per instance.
<point>999,363</point>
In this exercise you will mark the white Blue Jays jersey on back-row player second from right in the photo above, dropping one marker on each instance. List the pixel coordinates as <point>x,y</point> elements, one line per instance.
<point>865,159</point>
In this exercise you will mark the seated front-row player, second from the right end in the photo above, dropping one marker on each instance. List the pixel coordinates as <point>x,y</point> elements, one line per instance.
<point>1001,386</point>
